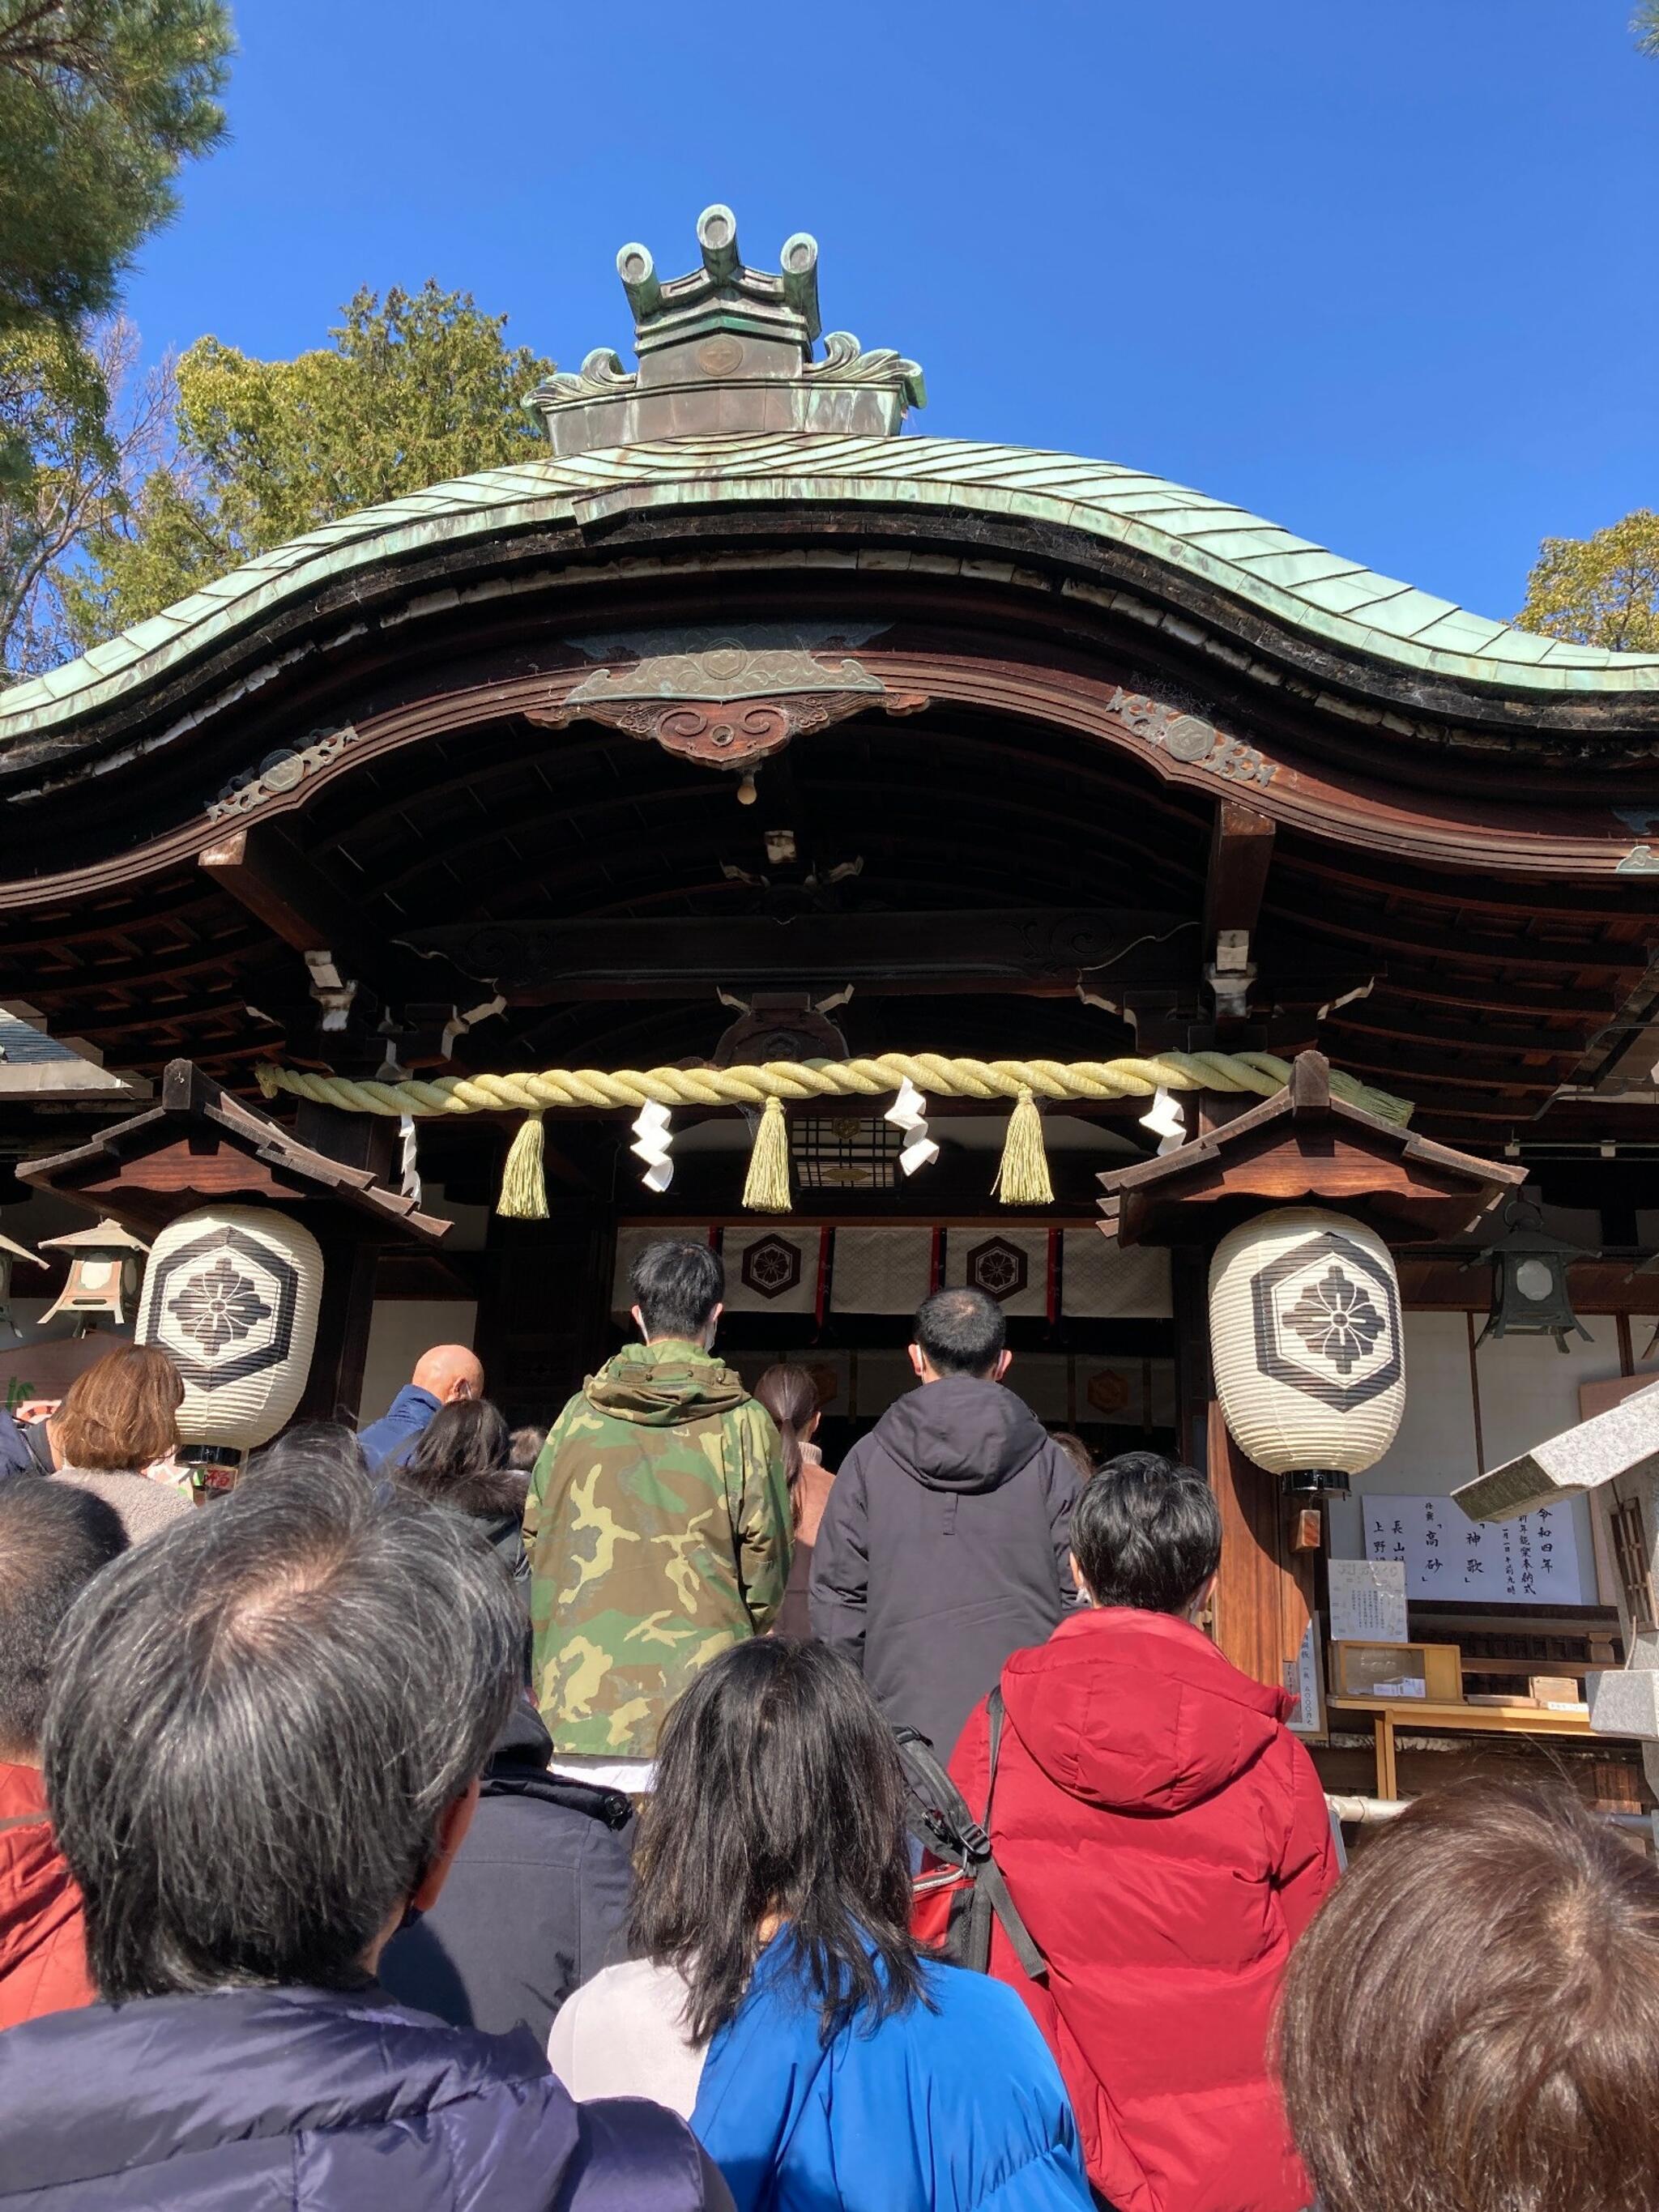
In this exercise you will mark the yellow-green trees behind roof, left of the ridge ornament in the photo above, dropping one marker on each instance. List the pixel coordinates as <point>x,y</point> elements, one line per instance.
<point>415,390</point>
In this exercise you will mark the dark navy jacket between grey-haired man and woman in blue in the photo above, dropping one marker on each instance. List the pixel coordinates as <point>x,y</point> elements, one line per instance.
<point>536,1899</point>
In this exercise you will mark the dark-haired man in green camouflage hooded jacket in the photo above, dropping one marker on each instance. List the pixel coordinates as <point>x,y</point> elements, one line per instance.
<point>658,1523</point>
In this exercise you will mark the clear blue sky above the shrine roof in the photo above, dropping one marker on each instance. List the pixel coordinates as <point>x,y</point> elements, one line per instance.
<point>1381,271</point>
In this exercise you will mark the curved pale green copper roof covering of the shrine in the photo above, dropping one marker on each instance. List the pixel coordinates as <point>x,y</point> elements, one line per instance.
<point>1293,583</point>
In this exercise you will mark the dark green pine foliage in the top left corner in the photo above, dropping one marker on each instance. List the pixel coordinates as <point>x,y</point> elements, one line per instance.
<point>101,103</point>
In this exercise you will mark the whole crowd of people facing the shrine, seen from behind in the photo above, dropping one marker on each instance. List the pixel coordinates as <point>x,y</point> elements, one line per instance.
<point>510,1819</point>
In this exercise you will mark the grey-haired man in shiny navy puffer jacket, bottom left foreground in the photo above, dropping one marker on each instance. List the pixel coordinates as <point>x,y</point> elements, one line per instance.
<point>262,1753</point>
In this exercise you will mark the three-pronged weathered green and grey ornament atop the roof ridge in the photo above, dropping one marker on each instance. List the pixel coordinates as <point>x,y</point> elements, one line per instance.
<point>727,351</point>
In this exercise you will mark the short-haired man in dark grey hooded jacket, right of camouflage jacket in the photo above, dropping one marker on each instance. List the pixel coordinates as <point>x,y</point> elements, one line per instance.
<point>948,1536</point>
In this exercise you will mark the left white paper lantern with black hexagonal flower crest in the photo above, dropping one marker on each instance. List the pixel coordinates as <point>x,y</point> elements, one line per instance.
<point>231,1297</point>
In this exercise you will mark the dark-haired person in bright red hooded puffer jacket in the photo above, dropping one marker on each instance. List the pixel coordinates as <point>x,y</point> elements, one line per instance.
<point>1167,1841</point>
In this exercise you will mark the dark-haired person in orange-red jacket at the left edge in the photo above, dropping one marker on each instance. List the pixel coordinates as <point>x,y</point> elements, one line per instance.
<point>52,1543</point>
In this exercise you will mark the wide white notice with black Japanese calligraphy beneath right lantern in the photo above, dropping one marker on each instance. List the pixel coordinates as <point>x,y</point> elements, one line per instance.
<point>1532,1561</point>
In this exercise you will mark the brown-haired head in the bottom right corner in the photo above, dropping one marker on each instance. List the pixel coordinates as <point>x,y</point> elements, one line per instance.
<point>1472,2023</point>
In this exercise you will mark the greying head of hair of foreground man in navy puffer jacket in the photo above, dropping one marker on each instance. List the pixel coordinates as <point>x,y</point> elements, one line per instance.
<point>258,1724</point>
